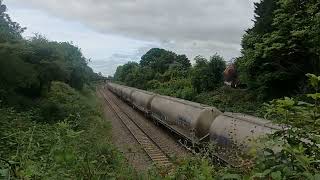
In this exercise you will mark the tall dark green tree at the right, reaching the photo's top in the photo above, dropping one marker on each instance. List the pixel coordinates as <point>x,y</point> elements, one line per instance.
<point>281,47</point>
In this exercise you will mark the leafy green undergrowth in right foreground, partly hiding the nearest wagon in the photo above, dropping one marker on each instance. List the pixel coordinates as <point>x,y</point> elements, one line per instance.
<point>293,152</point>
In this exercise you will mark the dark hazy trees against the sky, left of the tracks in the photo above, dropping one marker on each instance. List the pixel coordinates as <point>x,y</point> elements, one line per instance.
<point>28,66</point>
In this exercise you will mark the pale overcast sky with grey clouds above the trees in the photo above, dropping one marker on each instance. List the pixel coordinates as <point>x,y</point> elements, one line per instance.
<point>113,32</point>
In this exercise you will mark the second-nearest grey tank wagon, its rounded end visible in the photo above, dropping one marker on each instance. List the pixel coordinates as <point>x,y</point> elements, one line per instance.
<point>186,118</point>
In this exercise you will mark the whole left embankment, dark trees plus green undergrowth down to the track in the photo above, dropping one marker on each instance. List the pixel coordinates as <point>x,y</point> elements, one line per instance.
<point>51,123</point>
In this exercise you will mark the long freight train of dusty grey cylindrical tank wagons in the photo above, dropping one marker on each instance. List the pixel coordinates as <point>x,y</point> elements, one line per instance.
<point>196,122</point>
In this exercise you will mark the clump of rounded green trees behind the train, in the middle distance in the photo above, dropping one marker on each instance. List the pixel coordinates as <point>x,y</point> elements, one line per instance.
<point>166,73</point>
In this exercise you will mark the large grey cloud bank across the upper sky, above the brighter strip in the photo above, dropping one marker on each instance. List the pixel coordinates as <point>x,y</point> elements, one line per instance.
<point>191,27</point>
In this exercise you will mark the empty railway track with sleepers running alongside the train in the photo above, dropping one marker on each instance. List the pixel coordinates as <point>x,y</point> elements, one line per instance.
<point>153,150</point>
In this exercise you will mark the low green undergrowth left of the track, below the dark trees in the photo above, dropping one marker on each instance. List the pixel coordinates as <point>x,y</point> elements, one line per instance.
<point>77,146</point>
